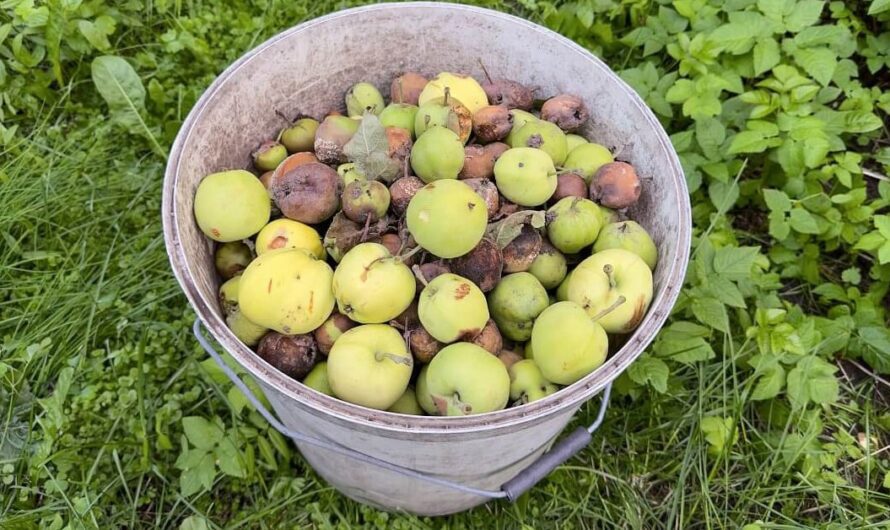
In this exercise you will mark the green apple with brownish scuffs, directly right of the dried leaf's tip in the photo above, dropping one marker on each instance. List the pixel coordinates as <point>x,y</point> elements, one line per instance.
<point>573,223</point>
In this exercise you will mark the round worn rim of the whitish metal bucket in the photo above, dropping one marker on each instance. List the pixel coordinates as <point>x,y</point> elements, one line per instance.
<point>570,396</point>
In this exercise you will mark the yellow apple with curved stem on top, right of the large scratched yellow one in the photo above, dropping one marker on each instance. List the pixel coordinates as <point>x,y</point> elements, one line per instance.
<point>371,286</point>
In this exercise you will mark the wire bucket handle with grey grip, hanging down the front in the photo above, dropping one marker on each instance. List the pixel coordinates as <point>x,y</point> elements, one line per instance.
<point>566,448</point>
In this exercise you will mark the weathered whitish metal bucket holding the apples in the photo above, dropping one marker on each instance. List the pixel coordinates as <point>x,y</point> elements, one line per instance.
<point>424,465</point>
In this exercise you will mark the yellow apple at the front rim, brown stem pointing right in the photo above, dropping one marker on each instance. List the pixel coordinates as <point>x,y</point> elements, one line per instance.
<point>370,366</point>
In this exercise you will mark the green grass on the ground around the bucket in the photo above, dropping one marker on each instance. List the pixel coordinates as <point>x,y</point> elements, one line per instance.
<point>98,366</point>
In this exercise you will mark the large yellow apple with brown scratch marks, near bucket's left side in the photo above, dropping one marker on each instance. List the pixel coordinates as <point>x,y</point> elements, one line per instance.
<point>287,290</point>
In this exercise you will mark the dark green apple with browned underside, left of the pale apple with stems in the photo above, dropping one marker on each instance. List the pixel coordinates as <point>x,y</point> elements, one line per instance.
<point>515,302</point>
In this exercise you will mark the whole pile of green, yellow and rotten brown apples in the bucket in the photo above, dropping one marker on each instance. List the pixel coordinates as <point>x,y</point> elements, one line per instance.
<point>475,252</point>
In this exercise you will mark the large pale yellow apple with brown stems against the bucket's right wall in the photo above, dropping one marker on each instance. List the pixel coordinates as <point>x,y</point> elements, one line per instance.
<point>597,291</point>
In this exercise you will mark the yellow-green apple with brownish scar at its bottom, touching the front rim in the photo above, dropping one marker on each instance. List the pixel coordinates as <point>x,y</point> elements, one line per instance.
<point>465,379</point>
